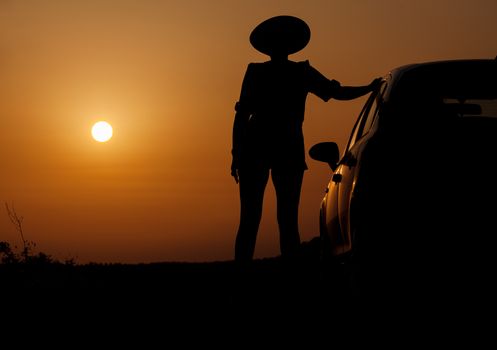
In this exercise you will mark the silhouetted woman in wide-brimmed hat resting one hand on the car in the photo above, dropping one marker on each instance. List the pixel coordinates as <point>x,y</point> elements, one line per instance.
<point>267,130</point>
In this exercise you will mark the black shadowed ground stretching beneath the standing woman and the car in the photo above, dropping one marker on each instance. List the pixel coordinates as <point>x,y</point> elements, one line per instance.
<point>216,302</point>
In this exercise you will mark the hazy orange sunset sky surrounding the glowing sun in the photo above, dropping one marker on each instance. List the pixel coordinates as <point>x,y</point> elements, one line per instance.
<point>166,75</point>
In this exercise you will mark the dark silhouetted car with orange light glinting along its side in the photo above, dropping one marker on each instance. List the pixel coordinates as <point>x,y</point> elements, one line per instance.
<point>412,199</point>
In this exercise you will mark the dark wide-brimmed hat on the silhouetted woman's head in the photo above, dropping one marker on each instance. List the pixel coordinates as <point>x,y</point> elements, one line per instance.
<point>280,35</point>
